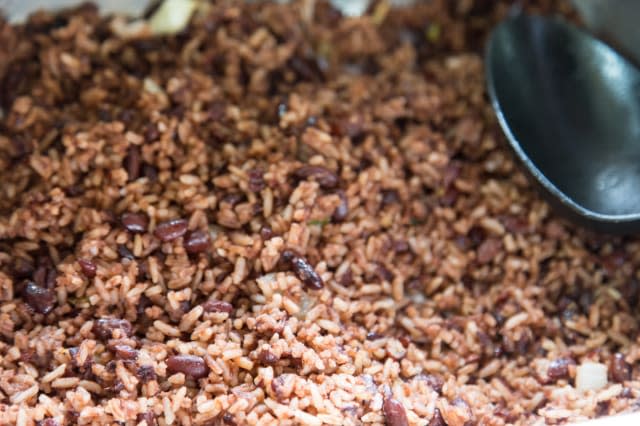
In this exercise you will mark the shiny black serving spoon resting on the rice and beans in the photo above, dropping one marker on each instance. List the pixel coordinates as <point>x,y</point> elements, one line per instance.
<point>570,107</point>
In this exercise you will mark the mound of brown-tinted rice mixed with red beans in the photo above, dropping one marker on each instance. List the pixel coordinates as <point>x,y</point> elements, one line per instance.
<point>280,215</point>
